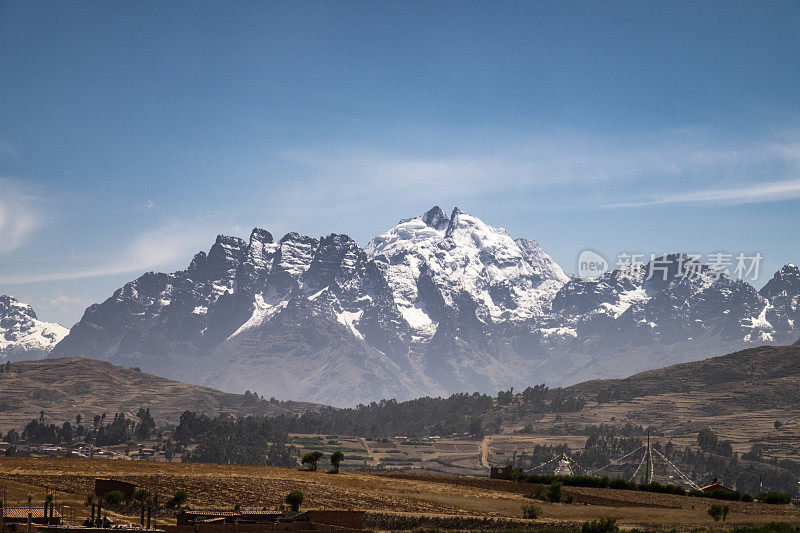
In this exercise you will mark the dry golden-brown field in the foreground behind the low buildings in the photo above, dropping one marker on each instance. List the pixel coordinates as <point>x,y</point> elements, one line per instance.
<point>223,486</point>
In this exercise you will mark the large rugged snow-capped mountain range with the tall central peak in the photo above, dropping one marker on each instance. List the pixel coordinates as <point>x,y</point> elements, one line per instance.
<point>435,305</point>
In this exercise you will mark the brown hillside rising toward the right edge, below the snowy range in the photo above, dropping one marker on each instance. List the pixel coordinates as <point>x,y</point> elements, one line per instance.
<point>739,396</point>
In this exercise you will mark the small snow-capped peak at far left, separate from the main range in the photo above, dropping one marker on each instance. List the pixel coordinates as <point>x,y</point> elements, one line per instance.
<point>22,334</point>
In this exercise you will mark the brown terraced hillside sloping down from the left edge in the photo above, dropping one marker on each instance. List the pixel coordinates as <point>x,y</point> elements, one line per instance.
<point>62,388</point>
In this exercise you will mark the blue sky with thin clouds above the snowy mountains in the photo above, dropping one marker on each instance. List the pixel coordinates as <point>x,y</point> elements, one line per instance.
<point>132,133</point>
